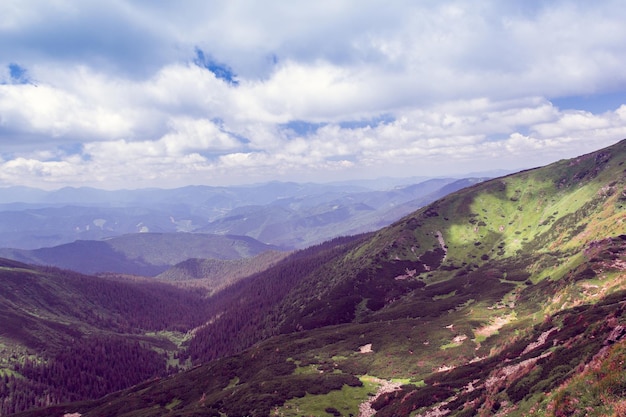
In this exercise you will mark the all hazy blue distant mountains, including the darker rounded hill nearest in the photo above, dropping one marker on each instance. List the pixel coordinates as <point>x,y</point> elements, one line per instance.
<point>146,231</point>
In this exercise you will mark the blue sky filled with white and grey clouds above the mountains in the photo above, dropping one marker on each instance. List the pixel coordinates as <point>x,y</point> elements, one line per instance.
<point>155,93</point>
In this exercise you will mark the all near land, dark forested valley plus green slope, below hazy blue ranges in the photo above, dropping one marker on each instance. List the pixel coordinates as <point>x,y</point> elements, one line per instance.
<point>502,298</point>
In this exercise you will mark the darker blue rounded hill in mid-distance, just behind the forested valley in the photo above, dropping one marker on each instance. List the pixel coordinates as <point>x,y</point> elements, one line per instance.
<point>146,254</point>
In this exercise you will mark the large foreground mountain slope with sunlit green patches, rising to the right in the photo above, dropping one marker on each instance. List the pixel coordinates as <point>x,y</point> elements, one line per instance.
<point>503,298</point>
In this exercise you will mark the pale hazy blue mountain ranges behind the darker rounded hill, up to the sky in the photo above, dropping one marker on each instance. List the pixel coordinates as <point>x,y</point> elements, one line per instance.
<point>278,213</point>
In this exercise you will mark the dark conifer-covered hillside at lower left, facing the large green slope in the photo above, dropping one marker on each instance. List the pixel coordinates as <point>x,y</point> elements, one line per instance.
<point>78,337</point>
